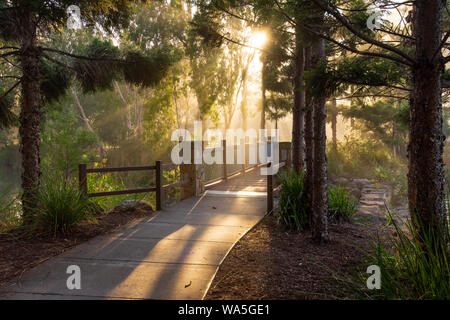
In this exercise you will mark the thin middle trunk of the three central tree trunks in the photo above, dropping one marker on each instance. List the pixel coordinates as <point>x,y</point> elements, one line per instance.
<point>309,138</point>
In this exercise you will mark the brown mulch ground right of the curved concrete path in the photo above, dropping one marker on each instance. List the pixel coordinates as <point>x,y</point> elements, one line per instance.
<point>270,263</point>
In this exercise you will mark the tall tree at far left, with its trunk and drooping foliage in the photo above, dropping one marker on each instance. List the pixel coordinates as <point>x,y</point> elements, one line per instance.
<point>44,73</point>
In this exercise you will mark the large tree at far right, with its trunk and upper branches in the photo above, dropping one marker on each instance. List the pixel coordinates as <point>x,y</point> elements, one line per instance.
<point>422,52</point>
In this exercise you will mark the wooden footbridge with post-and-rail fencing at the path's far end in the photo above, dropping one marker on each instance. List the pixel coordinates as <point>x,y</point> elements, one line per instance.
<point>193,180</point>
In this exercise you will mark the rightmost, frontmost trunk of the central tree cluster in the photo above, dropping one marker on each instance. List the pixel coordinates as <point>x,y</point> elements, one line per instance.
<point>320,196</point>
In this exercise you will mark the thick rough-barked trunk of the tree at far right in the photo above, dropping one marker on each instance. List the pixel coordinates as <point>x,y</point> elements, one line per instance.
<point>426,172</point>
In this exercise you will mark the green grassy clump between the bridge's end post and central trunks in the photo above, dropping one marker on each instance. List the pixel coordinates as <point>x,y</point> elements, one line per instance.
<point>292,203</point>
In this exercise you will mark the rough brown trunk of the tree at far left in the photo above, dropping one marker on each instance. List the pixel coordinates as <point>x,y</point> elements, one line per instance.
<point>30,120</point>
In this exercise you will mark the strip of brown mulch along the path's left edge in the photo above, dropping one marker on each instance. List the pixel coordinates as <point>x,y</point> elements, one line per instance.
<point>21,250</point>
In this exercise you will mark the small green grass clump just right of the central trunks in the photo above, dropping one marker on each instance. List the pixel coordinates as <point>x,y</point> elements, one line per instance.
<point>341,204</point>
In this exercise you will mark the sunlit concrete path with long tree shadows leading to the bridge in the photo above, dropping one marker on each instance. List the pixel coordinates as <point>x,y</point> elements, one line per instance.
<point>174,254</point>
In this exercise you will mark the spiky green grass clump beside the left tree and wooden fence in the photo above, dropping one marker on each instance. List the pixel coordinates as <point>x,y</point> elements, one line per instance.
<point>61,205</point>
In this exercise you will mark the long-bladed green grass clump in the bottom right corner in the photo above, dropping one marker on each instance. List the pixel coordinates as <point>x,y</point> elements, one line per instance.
<point>412,267</point>
